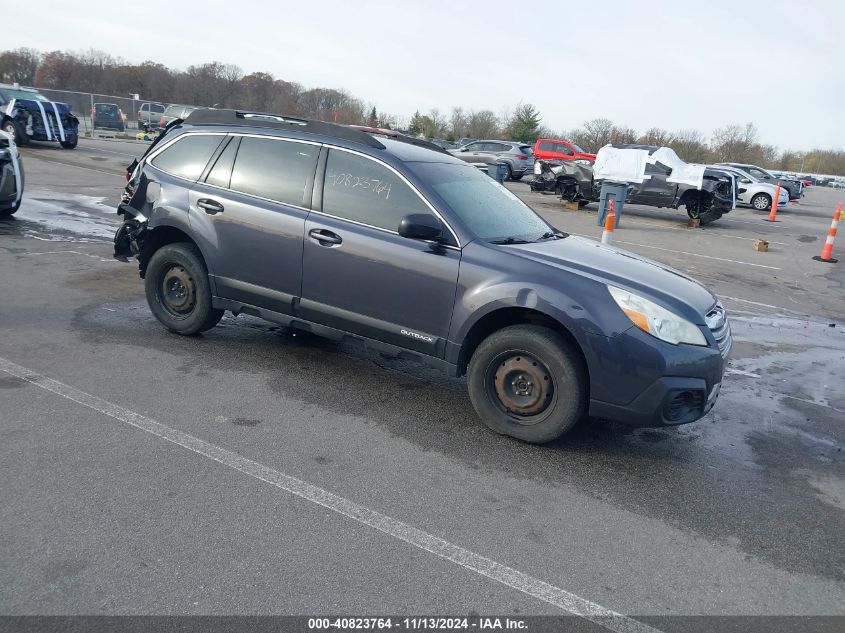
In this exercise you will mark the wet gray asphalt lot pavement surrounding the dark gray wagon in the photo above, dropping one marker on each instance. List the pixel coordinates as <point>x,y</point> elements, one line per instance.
<point>740,513</point>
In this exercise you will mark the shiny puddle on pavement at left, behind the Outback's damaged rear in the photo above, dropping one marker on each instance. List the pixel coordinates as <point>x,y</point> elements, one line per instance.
<point>64,217</point>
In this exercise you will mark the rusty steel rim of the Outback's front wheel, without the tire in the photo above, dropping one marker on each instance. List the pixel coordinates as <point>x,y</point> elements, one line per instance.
<point>521,385</point>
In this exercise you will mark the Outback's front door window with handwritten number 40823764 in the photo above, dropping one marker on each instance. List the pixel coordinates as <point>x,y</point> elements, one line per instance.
<point>364,191</point>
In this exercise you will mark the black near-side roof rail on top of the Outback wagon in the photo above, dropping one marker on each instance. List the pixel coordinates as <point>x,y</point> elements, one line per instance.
<point>211,116</point>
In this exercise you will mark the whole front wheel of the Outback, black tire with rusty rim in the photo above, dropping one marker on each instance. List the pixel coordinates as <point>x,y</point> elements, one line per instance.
<point>505,369</point>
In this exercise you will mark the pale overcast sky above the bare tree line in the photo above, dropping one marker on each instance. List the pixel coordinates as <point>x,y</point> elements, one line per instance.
<point>672,64</point>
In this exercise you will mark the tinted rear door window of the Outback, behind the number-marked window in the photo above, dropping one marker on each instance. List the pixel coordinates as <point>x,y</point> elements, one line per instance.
<point>274,169</point>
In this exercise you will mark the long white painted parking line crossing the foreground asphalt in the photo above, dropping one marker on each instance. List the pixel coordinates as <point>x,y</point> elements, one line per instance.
<point>467,559</point>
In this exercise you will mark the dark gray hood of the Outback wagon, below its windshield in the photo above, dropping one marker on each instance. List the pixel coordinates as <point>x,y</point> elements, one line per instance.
<point>610,265</point>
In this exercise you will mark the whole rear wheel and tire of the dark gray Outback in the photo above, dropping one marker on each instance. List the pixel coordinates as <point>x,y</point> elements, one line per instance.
<point>178,292</point>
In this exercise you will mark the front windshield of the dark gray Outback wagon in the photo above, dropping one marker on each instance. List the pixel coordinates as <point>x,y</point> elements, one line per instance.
<point>487,208</point>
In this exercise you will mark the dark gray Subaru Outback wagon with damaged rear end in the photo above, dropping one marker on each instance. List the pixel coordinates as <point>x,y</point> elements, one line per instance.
<point>395,242</point>
